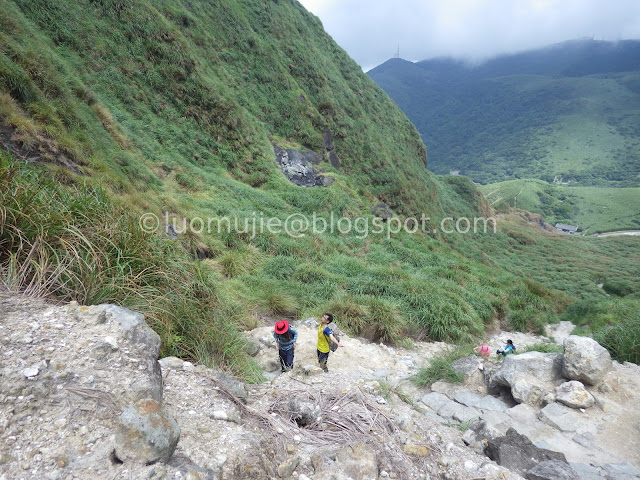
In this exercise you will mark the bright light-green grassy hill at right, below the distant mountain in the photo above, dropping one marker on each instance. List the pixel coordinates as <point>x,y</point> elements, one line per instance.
<point>593,209</point>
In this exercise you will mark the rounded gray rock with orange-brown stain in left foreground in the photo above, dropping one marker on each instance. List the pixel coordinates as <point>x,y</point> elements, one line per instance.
<point>146,433</point>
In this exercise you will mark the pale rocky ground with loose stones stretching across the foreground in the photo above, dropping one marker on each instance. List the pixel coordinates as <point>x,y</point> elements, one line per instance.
<point>67,373</point>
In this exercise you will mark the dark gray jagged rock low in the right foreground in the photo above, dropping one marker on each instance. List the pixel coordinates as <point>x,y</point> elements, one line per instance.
<point>517,453</point>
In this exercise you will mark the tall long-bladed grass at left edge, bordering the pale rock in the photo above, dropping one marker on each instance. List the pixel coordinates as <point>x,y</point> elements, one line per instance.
<point>71,243</point>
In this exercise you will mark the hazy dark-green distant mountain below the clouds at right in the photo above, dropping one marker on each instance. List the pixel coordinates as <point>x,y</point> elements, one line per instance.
<point>569,112</point>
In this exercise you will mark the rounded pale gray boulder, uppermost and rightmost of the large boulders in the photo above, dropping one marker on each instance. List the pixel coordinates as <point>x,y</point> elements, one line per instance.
<point>585,360</point>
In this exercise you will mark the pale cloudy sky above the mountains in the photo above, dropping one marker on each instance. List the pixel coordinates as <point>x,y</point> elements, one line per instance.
<point>371,30</point>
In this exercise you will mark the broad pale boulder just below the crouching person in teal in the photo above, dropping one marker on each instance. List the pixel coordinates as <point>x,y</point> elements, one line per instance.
<point>531,376</point>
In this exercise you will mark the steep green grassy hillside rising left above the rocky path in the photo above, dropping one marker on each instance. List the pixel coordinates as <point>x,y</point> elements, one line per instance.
<point>171,107</point>
